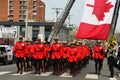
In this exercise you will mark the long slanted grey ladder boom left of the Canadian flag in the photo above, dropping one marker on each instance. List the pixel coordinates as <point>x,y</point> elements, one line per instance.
<point>61,20</point>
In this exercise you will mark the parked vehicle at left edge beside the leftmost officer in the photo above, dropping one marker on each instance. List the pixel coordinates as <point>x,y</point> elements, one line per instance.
<point>6,54</point>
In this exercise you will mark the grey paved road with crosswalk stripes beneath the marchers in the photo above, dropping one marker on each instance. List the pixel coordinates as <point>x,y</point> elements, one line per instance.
<point>8,72</point>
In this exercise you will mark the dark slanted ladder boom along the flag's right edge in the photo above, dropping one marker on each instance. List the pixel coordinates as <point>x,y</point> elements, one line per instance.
<point>114,19</point>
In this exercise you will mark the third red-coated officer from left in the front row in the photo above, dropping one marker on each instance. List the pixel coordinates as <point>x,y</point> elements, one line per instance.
<point>56,49</point>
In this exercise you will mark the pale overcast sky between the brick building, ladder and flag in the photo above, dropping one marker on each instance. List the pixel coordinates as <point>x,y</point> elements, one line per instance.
<point>76,11</point>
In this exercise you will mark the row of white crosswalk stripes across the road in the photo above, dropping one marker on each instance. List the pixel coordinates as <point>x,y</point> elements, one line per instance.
<point>64,75</point>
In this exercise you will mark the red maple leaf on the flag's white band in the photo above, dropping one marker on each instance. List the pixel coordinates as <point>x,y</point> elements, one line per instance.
<point>100,8</point>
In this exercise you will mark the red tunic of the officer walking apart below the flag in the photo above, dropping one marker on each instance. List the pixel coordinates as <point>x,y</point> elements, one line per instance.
<point>98,52</point>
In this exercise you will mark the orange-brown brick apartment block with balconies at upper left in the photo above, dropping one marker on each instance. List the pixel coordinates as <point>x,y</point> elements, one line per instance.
<point>15,10</point>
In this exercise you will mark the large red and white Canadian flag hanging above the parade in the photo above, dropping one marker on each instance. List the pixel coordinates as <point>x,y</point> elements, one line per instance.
<point>96,19</point>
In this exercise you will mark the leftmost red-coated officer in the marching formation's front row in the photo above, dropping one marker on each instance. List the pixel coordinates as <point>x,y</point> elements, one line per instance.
<point>19,49</point>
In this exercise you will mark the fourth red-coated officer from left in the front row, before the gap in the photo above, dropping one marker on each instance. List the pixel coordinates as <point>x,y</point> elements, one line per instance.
<point>72,58</point>
